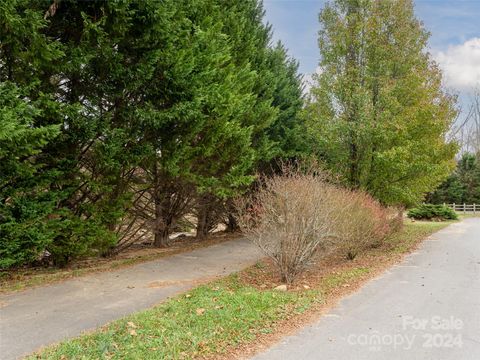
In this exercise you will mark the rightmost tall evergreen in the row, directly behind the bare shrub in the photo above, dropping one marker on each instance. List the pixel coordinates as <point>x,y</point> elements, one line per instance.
<point>277,99</point>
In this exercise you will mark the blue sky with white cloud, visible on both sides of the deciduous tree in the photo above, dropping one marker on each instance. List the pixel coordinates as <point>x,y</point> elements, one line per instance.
<point>454,26</point>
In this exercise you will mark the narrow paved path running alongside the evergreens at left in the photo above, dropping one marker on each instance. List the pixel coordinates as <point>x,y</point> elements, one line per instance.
<point>44,315</point>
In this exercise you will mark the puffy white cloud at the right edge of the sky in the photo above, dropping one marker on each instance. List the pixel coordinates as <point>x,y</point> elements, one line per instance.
<point>461,65</point>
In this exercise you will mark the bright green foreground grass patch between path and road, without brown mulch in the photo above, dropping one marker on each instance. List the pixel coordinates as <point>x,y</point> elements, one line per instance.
<point>206,320</point>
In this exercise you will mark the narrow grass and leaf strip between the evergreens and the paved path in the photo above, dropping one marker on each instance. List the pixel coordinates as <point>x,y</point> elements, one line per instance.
<point>21,279</point>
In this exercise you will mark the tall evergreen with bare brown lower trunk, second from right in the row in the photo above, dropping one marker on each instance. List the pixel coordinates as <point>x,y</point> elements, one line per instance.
<point>198,102</point>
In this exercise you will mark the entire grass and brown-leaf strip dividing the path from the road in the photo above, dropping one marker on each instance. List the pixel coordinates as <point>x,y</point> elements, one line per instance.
<point>236,314</point>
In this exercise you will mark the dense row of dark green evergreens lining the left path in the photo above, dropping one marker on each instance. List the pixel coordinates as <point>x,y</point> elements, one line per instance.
<point>129,112</point>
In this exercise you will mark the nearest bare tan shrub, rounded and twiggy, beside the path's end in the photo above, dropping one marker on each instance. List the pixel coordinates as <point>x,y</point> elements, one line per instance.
<point>292,218</point>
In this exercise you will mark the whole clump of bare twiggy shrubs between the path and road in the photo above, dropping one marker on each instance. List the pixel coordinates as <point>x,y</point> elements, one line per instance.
<point>299,217</point>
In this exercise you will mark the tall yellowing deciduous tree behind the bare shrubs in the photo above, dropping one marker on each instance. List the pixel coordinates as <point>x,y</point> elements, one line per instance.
<point>378,113</point>
